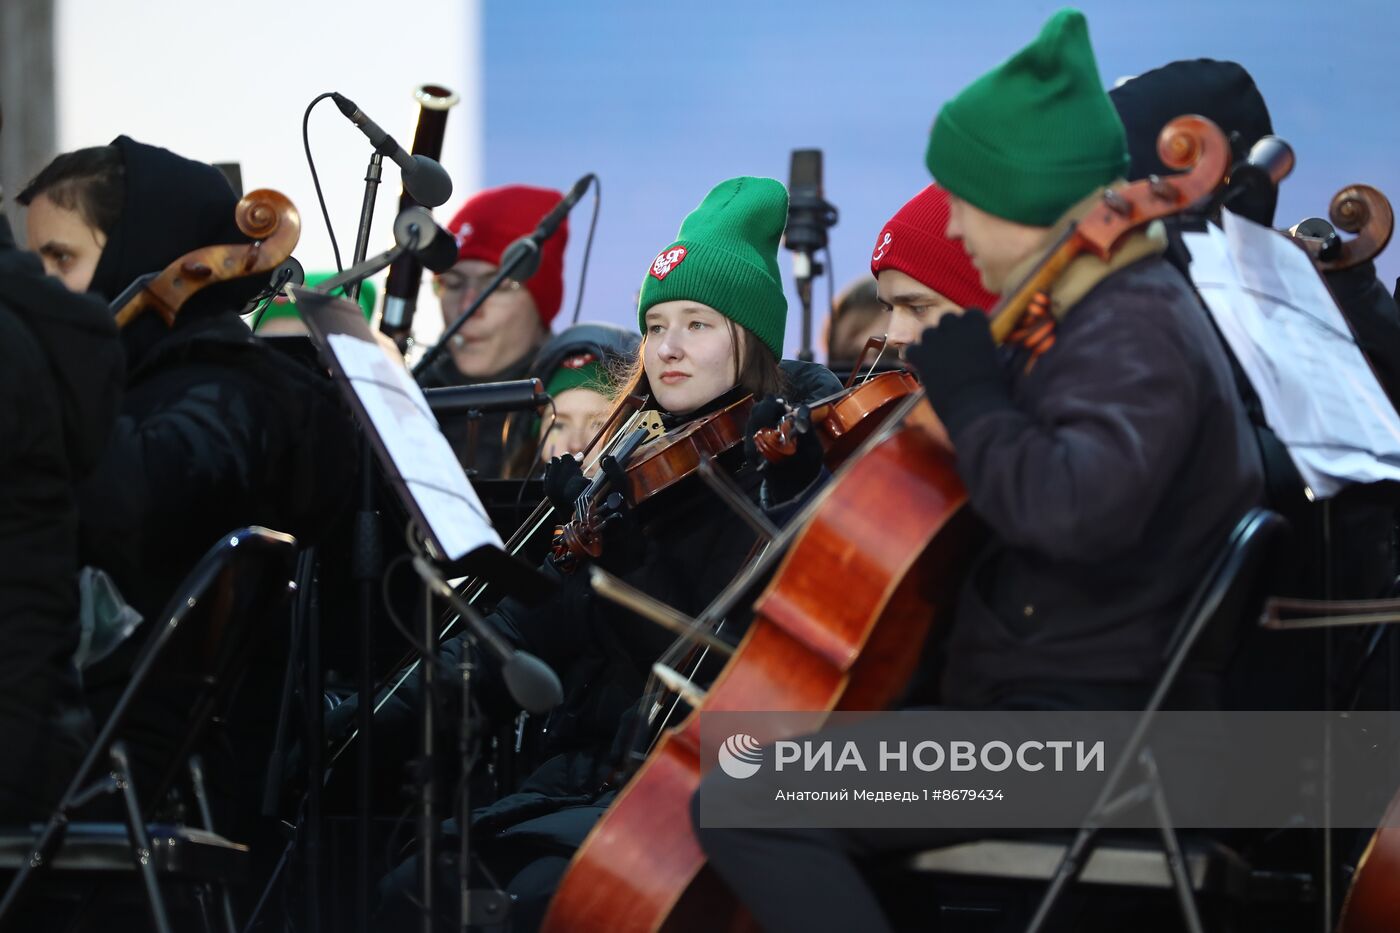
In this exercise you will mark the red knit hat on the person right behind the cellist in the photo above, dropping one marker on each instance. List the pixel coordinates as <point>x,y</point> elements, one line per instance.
<point>913,242</point>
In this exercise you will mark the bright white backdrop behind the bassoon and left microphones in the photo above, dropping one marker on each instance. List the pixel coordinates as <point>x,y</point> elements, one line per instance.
<point>229,82</point>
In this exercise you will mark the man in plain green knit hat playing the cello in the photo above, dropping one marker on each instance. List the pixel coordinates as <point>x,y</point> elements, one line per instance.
<point>1105,450</point>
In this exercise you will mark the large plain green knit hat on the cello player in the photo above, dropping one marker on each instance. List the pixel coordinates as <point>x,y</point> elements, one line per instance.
<point>1035,135</point>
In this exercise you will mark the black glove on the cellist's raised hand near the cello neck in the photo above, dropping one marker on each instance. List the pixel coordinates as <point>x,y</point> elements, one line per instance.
<point>960,368</point>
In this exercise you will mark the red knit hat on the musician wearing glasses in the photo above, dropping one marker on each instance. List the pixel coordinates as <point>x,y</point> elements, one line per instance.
<point>496,218</point>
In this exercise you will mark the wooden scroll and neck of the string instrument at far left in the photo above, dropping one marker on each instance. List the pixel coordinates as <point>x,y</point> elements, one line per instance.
<point>265,215</point>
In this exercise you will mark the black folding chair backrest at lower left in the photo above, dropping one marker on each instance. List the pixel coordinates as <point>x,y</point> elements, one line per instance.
<point>195,655</point>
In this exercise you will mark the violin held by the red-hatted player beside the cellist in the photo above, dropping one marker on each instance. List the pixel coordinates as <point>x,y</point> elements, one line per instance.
<point>842,421</point>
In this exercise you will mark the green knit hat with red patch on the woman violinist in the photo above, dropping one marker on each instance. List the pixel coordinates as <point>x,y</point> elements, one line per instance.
<point>726,256</point>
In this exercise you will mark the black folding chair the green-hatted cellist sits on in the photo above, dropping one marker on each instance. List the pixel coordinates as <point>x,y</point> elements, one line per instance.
<point>1203,645</point>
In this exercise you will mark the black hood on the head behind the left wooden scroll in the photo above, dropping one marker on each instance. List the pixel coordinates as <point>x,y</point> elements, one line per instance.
<point>173,207</point>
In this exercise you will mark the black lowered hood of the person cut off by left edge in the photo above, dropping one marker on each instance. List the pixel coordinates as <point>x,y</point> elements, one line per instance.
<point>82,344</point>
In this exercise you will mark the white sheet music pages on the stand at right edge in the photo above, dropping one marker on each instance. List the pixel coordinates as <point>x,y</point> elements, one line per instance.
<point>1318,392</point>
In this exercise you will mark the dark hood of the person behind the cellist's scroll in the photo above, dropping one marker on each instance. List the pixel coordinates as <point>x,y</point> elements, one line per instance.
<point>1221,92</point>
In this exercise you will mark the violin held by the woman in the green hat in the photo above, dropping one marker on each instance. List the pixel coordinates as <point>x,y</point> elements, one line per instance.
<point>652,467</point>
